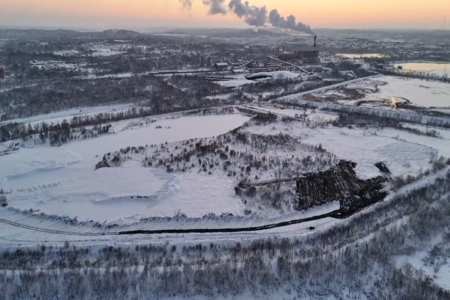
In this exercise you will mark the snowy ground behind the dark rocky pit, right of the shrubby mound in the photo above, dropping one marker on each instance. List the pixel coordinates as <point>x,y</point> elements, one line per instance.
<point>404,153</point>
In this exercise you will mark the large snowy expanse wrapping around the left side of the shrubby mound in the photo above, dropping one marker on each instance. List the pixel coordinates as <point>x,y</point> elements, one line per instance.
<point>63,181</point>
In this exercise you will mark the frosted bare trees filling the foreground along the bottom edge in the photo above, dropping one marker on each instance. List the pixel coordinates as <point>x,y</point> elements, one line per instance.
<point>352,260</point>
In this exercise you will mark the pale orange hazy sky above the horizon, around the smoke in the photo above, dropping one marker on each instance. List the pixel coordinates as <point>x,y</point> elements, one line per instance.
<point>142,14</point>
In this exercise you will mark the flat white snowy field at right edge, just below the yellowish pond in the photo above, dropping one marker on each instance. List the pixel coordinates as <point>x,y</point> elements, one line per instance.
<point>420,92</point>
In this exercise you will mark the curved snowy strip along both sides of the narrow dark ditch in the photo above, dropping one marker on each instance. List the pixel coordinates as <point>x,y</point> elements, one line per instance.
<point>55,231</point>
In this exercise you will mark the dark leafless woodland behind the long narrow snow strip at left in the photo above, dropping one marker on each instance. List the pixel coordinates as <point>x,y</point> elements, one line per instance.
<point>162,94</point>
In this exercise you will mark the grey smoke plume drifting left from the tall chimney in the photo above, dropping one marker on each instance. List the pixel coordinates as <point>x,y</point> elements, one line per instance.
<point>251,14</point>
